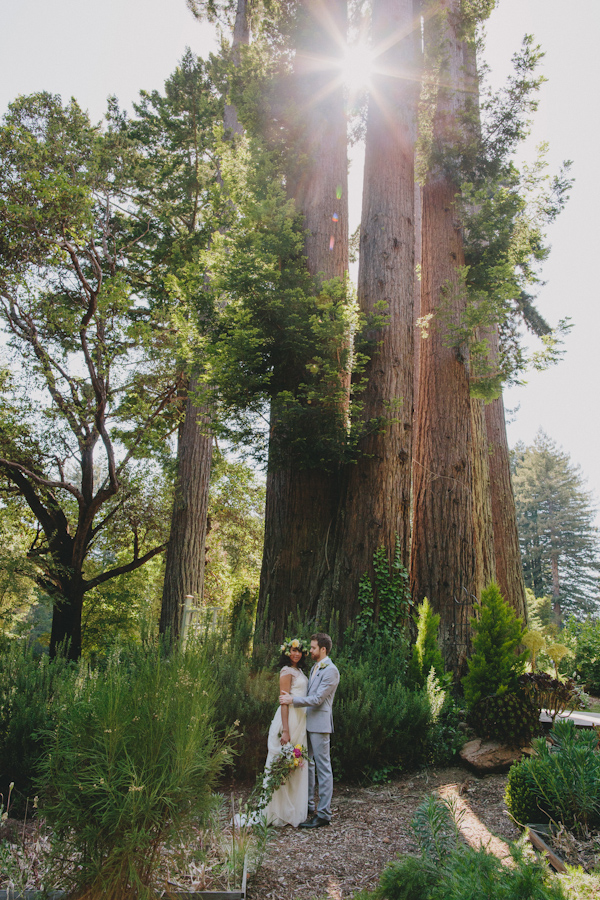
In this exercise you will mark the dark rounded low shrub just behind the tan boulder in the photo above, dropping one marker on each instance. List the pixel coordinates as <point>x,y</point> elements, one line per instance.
<point>512,718</point>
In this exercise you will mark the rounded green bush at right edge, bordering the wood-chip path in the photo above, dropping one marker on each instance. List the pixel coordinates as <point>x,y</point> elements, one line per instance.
<point>564,778</point>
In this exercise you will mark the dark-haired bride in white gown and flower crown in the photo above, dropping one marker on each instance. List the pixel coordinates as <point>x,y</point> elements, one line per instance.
<point>289,803</point>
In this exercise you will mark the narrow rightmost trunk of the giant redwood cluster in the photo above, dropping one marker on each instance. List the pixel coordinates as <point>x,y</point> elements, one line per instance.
<point>509,568</point>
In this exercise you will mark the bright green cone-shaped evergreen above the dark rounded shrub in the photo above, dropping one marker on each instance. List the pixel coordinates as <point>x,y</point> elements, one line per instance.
<point>495,663</point>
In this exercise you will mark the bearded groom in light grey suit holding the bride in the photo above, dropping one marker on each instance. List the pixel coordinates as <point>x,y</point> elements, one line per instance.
<point>322,685</point>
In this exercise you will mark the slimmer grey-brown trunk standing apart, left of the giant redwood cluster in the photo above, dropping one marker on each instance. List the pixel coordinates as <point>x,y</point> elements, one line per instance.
<point>184,566</point>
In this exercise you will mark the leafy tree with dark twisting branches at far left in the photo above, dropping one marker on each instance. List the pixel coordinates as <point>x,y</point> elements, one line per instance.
<point>83,405</point>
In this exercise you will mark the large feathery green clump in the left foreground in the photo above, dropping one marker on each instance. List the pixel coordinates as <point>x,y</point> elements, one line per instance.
<point>130,765</point>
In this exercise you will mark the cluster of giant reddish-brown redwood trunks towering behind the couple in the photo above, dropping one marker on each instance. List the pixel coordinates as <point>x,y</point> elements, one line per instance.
<point>433,478</point>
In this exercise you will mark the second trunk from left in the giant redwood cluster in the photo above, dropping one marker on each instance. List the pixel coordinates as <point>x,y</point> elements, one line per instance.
<point>375,506</point>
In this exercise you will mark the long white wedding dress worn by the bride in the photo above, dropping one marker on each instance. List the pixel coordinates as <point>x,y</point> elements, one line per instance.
<point>289,804</point>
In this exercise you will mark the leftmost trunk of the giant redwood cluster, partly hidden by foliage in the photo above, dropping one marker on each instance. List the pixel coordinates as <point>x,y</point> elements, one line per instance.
<point>301,504</point>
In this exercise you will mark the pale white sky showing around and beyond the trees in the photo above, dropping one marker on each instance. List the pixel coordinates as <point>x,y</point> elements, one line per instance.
<point>90,50</point>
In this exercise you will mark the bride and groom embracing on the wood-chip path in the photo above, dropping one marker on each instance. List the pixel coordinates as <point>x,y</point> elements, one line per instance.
<point>304,717</point>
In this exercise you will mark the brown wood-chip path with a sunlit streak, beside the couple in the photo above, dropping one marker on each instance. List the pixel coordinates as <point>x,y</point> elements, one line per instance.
<point>370,827</point>
